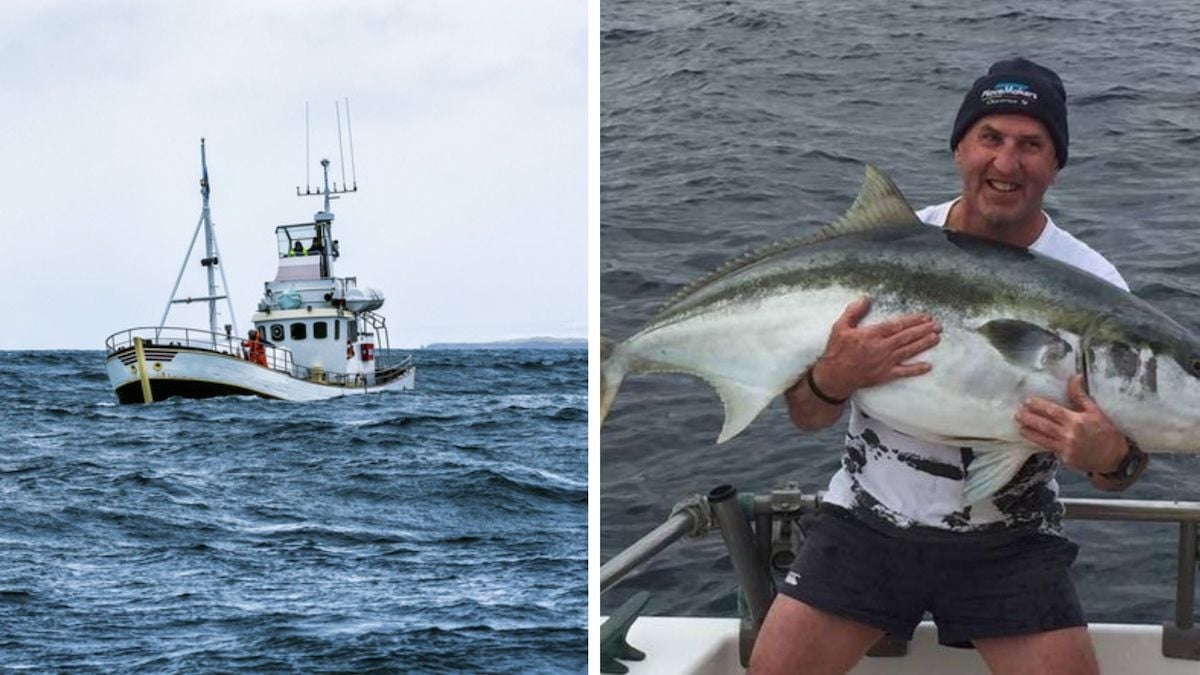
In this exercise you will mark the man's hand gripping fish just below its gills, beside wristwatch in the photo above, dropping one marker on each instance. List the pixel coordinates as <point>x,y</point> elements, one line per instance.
<point>1082,435</point>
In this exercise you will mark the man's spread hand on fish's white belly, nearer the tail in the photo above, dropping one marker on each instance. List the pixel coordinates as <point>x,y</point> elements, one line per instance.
<point>857,357</point>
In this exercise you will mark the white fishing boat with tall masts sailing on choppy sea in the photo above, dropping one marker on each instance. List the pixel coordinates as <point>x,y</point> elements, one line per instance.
<point>315,336</point>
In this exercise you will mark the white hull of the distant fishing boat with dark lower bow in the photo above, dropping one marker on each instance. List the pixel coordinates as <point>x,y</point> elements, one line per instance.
<point>197,374</point>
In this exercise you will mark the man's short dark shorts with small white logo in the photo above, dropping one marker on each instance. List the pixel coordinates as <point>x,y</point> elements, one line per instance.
<point>976,586</point>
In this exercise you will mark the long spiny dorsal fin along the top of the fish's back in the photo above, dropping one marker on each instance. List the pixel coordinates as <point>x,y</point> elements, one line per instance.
<point>879,206</point>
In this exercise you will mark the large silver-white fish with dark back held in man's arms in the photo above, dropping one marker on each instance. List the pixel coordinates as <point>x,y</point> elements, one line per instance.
<point>1015,325</point>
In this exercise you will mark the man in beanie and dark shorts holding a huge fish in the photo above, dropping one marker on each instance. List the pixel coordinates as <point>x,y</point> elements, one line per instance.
<point>895,537</point>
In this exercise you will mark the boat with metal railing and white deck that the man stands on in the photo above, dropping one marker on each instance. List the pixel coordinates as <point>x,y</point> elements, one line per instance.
<point>759,539</point>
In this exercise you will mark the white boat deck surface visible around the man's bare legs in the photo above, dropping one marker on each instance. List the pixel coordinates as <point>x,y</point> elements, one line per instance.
<point>710,647</point>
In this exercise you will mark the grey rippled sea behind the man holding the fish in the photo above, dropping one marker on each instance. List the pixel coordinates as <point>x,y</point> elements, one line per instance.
<point>727,126</point>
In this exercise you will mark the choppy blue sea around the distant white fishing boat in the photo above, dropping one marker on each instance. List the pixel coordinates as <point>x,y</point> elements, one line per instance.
<point>441,530</point>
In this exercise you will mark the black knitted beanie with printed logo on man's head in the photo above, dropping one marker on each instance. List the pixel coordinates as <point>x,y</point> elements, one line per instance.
<point>1018,87</point>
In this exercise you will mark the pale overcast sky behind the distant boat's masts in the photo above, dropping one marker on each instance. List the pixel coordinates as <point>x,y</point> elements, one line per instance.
<point>470,122</point>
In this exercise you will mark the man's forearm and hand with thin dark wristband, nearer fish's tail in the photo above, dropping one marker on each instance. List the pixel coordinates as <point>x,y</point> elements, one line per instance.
<point>857,357</point>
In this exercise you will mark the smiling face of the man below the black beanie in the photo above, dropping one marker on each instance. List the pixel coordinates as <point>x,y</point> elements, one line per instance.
<point>1007,163</point>
